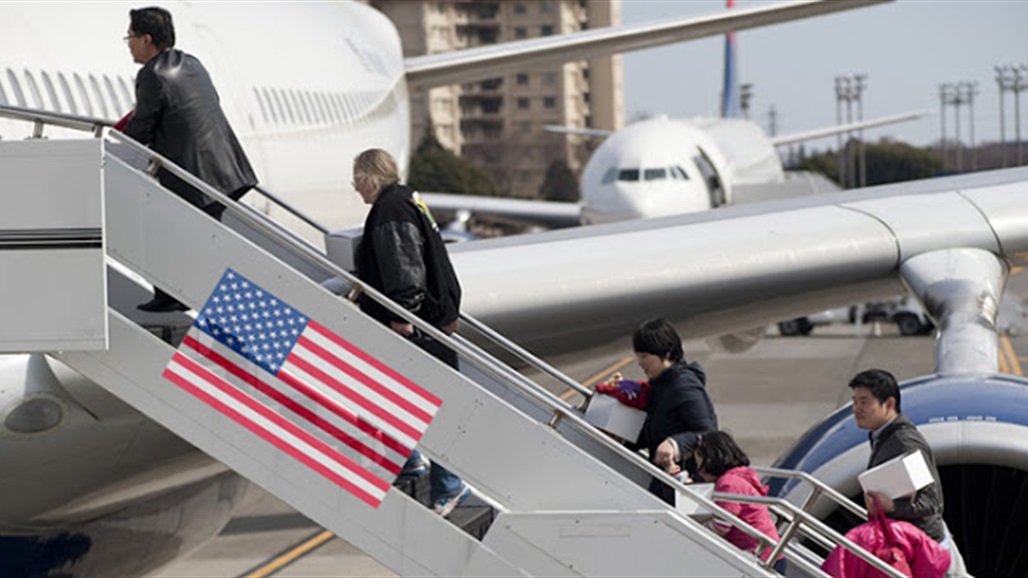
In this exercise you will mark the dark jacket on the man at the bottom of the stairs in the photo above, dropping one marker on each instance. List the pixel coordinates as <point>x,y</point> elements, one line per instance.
<point>926,509</point>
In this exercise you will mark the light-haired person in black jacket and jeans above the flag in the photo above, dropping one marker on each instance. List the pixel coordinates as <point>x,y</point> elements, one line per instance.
<point>403,257</point>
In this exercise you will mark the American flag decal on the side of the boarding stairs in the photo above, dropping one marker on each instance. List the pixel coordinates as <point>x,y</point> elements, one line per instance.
<point>302,388</point>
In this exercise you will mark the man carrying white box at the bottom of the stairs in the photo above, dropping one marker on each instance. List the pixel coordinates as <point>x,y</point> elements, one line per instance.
<point>876,409</point>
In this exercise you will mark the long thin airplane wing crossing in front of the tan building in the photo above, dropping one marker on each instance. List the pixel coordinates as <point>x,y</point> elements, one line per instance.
<point>497,60</point>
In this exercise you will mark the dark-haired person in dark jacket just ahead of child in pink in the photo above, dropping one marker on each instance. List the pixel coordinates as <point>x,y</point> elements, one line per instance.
<point>680,410</point>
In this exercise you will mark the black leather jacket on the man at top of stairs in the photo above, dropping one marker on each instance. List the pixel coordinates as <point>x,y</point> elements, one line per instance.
<point>179,116</point>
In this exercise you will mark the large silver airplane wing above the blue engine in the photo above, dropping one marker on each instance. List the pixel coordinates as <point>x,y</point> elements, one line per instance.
<point>738,268</point>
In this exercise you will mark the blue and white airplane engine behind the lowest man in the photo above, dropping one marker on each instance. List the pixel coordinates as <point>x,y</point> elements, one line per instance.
<point>978,428</point>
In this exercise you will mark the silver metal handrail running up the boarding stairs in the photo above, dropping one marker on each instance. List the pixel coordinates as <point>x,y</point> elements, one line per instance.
<point>562,411</point>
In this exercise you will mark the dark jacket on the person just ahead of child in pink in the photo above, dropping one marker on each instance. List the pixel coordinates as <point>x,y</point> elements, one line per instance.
<point>679,409</point>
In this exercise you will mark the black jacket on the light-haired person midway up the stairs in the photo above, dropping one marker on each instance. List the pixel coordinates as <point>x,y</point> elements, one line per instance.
<point>403,257</point>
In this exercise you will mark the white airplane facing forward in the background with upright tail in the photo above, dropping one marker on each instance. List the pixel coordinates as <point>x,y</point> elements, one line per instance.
<point>663,166</point>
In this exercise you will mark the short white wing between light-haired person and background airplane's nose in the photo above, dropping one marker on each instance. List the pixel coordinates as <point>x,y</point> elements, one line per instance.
<point>546,213</point>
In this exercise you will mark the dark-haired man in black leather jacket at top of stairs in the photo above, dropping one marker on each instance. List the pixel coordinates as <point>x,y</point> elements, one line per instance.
<point>178,115</point>
